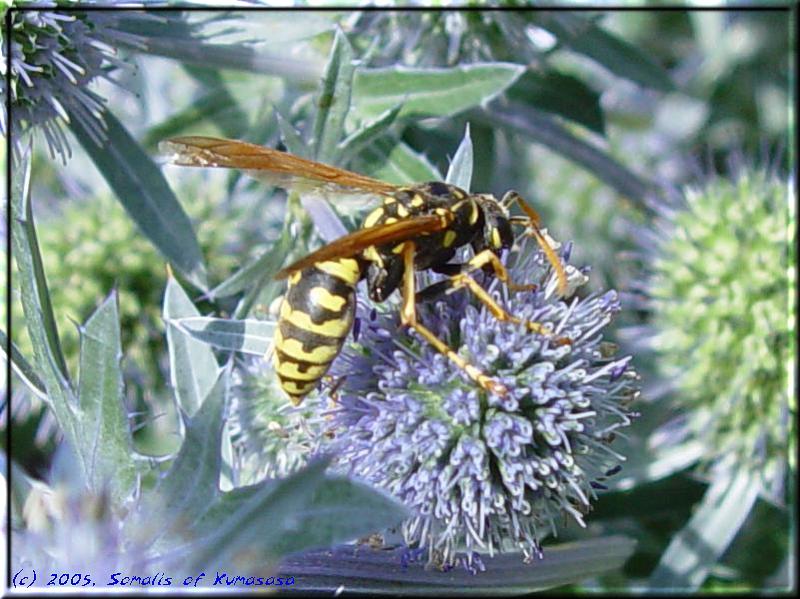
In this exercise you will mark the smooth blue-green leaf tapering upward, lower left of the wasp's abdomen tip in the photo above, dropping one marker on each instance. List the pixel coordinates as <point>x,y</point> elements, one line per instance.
<point>191,484</point>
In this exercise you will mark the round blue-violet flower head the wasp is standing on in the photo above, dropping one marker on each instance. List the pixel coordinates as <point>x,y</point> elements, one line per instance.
<point>483,472</point>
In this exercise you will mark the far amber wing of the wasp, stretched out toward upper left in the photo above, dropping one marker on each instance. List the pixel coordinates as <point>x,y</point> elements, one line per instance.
<point>271,166</point>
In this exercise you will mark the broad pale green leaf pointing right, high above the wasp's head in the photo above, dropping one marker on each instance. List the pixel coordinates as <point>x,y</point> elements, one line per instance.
<point>430,92</point>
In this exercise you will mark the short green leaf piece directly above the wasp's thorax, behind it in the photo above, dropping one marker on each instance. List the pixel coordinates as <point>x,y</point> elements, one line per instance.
<point>391,160</point>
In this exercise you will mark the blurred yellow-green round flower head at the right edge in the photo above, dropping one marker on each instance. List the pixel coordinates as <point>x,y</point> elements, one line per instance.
<point>722,295</point>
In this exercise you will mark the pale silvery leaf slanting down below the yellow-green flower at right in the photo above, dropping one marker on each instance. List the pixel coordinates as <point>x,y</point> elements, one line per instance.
<point>694,550</point>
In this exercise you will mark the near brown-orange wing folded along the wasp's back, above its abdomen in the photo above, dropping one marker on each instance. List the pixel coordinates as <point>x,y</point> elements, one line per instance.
<point>357,241</point>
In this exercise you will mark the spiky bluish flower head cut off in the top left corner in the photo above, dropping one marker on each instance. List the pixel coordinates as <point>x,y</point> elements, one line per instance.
<point>56,55</point>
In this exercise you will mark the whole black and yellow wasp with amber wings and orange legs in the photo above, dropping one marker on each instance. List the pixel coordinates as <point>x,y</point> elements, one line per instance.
<point>416,228</point>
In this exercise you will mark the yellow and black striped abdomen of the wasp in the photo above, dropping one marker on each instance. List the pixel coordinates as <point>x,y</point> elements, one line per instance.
<point>315,317</point>
